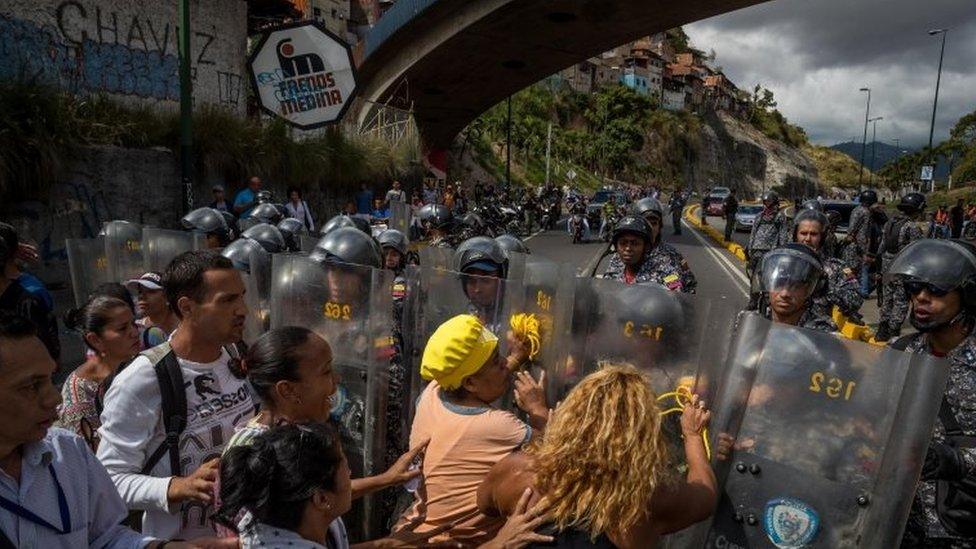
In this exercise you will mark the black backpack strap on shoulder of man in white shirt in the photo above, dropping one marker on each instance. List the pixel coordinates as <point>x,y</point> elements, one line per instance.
<point>173,397</point>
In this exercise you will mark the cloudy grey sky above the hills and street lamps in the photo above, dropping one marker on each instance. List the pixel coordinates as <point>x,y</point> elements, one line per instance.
<point>816,54</point>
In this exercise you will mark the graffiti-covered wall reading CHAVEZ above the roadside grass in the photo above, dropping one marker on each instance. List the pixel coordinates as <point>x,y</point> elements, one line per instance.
<point>127,48</point>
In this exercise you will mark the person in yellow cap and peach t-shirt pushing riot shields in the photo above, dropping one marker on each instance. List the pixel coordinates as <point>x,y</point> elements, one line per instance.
<point>467,434</point>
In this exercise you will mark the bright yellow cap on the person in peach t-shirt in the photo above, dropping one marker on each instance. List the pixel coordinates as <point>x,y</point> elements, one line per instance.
<point>456,350</point>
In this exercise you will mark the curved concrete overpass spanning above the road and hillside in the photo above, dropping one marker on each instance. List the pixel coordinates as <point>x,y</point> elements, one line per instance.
<point>452,60</point>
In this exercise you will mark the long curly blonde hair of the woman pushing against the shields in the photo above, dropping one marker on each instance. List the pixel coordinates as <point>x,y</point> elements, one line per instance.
<point>603,454</point>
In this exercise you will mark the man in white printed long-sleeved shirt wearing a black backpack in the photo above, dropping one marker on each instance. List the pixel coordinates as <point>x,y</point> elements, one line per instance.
<point>207,293</point>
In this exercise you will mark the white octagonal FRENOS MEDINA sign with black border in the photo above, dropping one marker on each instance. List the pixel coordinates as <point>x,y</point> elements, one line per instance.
<point>304,74</point>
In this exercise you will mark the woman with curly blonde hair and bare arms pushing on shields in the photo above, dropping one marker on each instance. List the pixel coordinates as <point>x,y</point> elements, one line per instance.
<point>608,424</point>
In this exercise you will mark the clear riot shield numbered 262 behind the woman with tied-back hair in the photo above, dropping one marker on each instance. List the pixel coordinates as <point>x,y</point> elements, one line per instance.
<point>351,307</point>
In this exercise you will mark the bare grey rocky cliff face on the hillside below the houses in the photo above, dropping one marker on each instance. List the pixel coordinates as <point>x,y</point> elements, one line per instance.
<point>734,154</point>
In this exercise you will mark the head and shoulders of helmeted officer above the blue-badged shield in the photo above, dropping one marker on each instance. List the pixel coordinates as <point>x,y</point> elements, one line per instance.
<point>789,278</point>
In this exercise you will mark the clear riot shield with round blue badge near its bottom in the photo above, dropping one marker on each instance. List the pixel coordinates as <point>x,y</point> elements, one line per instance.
<point>830,437</point>
